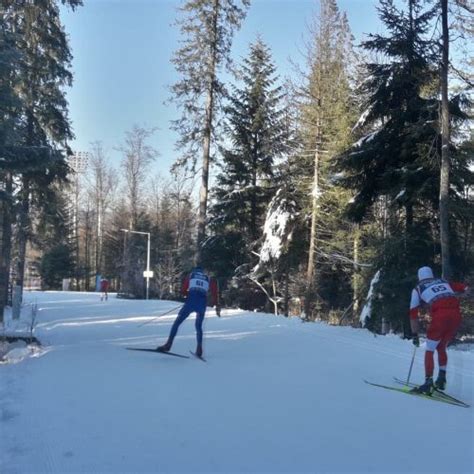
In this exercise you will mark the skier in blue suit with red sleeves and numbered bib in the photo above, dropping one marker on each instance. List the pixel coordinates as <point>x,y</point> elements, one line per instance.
<point>196,287</point>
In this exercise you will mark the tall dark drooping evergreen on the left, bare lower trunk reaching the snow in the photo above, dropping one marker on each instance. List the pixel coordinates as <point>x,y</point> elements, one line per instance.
<point>44,127</point>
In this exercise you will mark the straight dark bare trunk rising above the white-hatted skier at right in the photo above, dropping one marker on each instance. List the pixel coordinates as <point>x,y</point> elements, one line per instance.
<point>445,161</point>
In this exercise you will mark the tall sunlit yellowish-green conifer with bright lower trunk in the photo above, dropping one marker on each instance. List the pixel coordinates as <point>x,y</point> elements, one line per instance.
<point>326,116</point>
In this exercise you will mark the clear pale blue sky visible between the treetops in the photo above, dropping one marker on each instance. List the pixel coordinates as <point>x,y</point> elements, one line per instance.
<point>122,51</point>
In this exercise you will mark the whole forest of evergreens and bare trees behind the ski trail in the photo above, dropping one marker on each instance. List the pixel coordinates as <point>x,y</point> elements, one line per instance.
<point>317,194</point>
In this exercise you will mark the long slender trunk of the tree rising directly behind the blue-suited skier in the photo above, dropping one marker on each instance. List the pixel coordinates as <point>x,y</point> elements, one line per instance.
<point>201,221</point>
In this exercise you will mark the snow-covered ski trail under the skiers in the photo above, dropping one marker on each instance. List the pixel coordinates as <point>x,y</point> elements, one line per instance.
<point>276,395</point>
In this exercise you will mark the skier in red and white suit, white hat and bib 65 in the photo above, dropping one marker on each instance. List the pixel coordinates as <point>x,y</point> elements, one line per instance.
<point>439,297</point>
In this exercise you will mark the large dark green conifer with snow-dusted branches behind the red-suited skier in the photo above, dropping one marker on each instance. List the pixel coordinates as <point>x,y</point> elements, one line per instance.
<point>396,163</point>
